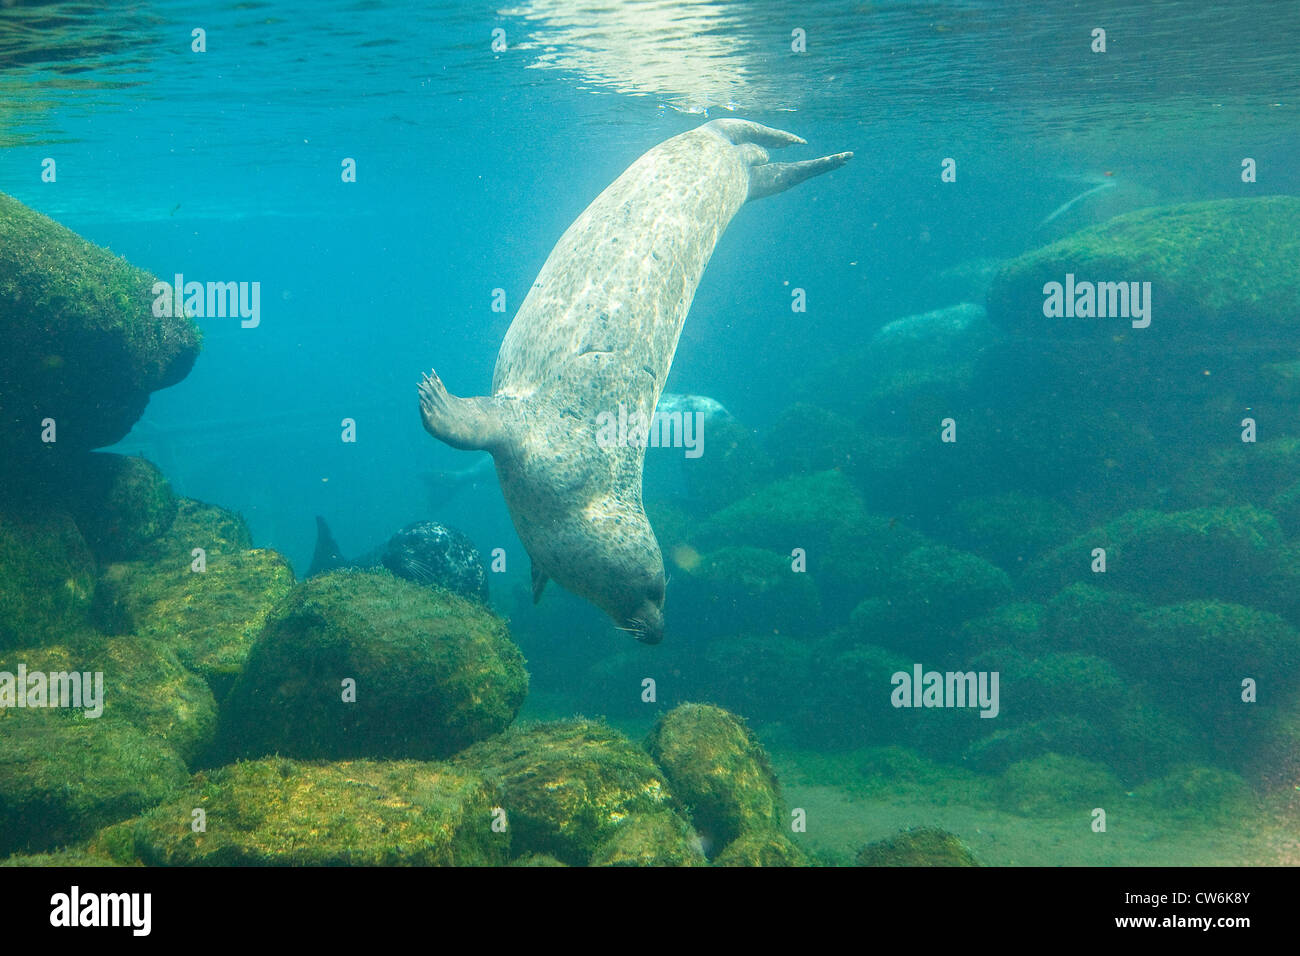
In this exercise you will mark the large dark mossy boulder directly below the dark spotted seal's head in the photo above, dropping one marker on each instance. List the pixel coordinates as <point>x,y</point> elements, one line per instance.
<point>361,664</point>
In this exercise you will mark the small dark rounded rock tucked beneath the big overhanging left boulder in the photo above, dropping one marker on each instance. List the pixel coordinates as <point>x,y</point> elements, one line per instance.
<point>120,504</point>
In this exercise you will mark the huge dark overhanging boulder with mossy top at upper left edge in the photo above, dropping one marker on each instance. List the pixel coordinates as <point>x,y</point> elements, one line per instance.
<point>79,340</point>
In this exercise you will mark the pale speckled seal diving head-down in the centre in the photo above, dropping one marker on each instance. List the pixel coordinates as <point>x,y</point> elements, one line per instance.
<point>599,331</point>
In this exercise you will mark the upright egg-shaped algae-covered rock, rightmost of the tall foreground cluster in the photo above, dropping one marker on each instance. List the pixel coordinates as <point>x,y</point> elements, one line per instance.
<point>718,771</point>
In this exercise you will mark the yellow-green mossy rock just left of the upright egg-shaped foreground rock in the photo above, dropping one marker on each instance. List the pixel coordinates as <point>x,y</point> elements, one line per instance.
<point>569,786</point>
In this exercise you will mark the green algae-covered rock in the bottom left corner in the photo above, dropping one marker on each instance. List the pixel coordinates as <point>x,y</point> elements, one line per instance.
<point>64,776</point>
